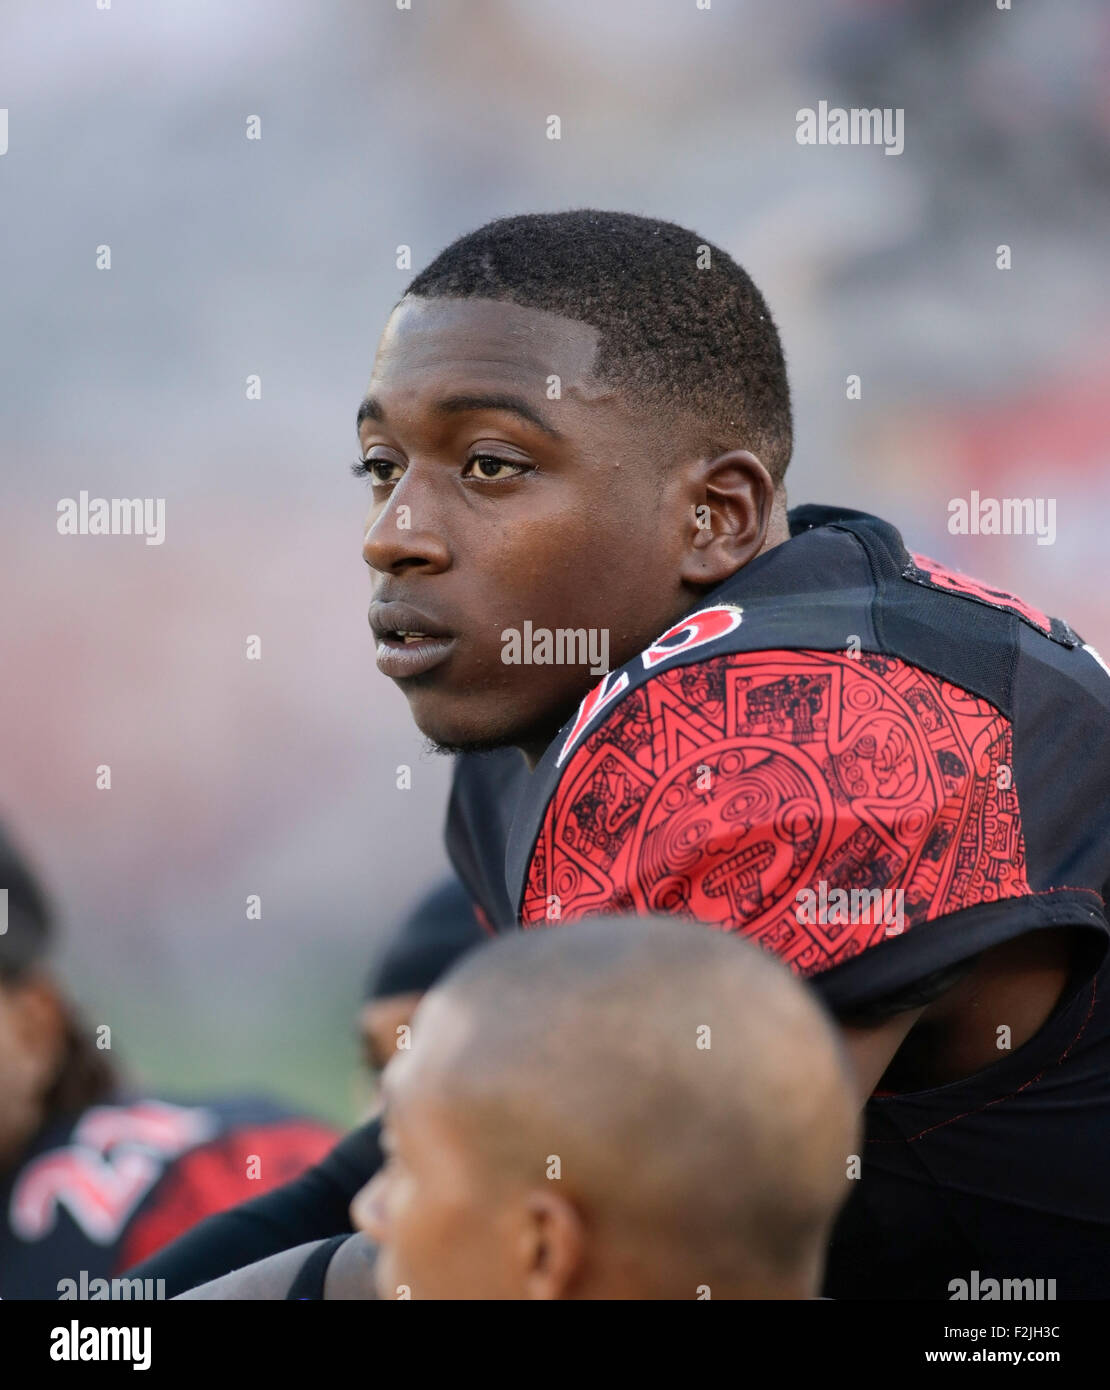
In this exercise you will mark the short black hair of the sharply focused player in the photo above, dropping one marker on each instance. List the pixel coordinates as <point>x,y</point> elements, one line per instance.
<point>683,327</point>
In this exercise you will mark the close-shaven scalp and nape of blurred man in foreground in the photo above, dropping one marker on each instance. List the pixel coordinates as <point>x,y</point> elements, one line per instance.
<point>676,1088</point>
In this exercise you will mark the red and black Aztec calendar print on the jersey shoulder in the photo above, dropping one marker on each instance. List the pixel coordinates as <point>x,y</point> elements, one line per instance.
<point>722,789</point>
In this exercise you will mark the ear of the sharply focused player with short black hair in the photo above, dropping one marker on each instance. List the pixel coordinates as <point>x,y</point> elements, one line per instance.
<point>731,505</point>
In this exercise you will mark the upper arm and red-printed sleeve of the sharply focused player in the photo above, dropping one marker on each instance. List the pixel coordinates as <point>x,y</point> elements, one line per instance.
<point>687,792</point>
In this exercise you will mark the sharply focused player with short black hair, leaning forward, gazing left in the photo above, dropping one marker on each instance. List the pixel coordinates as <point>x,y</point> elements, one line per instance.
<point>576,434</point>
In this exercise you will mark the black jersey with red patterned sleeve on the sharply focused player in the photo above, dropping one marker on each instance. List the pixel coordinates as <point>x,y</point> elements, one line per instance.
<point>875,768</point>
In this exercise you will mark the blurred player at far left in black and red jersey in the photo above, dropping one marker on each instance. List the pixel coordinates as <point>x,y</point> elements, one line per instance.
<point>95,1175</point>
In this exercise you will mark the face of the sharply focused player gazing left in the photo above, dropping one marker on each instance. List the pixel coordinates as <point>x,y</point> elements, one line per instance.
<point>509,487</point>
